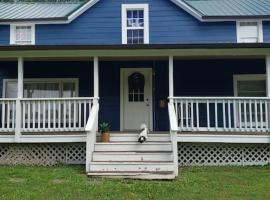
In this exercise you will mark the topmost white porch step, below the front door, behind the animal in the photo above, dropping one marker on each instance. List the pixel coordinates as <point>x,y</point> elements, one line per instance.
<point>132,137</point>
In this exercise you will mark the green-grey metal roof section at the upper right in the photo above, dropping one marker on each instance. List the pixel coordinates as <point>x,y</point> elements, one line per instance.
<point>226,9</point>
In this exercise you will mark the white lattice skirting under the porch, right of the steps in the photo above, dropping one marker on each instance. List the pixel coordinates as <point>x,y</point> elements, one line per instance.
<point>206,154</point>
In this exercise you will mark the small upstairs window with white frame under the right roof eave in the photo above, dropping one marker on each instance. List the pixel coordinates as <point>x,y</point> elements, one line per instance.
<point>249,31</point>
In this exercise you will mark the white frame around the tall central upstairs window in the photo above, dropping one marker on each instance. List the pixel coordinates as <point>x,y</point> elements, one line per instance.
<point>145,8</point>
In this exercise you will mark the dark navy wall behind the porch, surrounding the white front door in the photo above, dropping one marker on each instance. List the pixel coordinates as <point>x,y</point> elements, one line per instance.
<point>192,78</point>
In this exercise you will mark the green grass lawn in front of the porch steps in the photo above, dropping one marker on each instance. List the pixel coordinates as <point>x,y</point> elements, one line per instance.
<point>70,182</point>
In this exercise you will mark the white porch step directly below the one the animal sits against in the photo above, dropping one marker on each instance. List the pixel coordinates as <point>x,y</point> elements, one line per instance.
<point>131,146</point>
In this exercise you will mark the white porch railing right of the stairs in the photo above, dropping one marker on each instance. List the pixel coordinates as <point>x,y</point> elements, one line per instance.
<point>221,114</point>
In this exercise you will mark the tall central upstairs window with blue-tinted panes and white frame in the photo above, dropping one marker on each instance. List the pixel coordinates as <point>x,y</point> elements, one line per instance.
<point>135,24</point>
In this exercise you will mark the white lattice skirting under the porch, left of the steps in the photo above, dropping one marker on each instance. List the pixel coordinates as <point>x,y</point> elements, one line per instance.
<point>42,154</point>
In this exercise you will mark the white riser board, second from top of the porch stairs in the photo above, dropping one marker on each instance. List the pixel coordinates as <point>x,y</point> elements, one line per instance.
<point>132,147</point>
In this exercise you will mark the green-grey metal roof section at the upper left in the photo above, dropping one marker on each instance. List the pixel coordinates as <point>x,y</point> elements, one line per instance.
<point>62,12</point>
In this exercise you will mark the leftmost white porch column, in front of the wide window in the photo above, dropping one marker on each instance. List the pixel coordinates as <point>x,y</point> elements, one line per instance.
<point>18,101</point>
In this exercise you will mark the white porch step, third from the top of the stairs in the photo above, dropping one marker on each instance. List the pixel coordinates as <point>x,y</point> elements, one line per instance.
<point>132,156</point>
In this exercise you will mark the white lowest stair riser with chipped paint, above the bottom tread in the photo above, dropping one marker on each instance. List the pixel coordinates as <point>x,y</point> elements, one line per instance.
<point>138,167</point>
